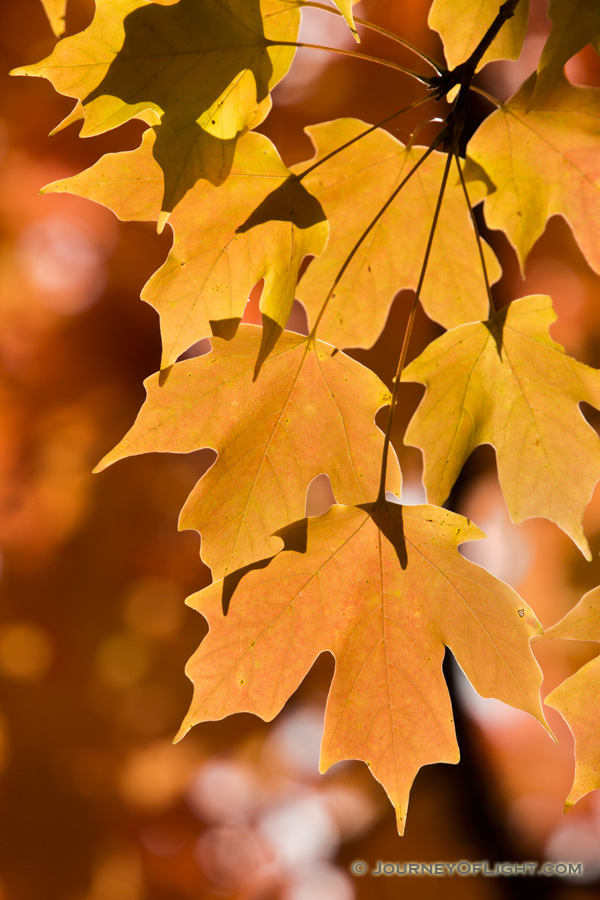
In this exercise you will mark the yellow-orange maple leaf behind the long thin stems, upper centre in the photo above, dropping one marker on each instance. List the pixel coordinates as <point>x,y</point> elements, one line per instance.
<point>352,186</point>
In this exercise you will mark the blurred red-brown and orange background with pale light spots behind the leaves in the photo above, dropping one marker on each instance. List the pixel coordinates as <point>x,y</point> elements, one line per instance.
<point>95,802</point>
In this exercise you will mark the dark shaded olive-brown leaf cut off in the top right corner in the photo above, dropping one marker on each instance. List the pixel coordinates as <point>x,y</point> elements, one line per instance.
<point>575,23</point>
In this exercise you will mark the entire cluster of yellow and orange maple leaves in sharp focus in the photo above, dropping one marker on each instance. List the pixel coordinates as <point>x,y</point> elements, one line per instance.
<point>379,585</point>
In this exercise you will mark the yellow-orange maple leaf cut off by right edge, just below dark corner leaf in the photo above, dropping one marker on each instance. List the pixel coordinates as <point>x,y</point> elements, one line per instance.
<point>544,160</point>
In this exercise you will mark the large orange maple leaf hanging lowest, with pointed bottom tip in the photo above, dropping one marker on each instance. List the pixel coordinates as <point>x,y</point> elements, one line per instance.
<point>384,589</point>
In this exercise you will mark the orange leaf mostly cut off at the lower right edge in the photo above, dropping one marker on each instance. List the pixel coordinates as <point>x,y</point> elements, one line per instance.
<point>578,698</point>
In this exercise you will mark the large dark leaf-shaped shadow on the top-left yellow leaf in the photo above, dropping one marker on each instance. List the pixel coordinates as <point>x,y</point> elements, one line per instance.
<point>208,89</point>
